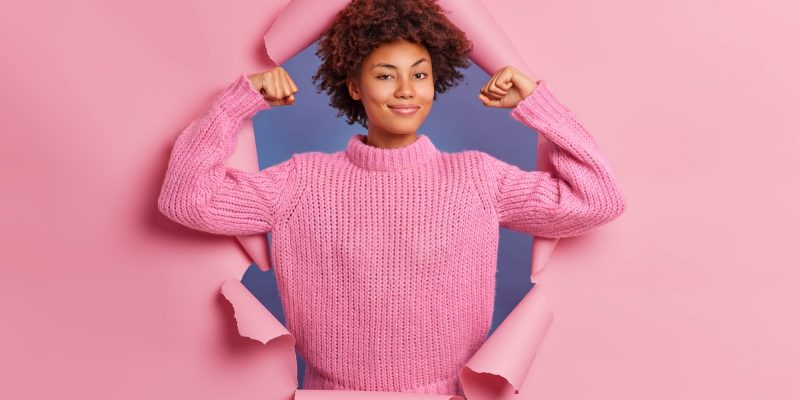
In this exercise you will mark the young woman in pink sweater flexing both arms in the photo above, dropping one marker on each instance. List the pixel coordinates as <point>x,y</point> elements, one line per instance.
<point>385,252</point>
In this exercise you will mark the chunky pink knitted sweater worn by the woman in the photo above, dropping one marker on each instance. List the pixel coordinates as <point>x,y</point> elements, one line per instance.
<point>385,258</point>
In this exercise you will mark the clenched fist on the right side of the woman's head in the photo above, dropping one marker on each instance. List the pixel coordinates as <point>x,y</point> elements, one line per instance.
<point>506,88</point>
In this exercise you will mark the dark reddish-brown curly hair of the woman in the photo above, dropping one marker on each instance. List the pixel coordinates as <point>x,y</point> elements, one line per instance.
<point>364,25</point>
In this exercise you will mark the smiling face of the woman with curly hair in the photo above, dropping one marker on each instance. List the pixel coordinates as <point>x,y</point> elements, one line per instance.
<point>396,87</point>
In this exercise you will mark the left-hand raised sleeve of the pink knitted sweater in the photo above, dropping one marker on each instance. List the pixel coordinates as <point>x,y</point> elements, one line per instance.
<point>200,192</point>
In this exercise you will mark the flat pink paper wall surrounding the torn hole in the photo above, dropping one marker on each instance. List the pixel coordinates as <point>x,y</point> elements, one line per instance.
<point>690,294</point>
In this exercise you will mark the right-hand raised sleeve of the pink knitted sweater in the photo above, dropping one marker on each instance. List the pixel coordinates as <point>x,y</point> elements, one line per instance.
<point>579,195</point>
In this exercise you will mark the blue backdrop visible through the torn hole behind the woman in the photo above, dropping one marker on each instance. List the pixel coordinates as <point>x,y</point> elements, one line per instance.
<point>458,121</point>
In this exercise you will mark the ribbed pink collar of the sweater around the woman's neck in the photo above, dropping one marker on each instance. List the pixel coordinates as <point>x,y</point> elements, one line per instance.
<point>393,159</point>
